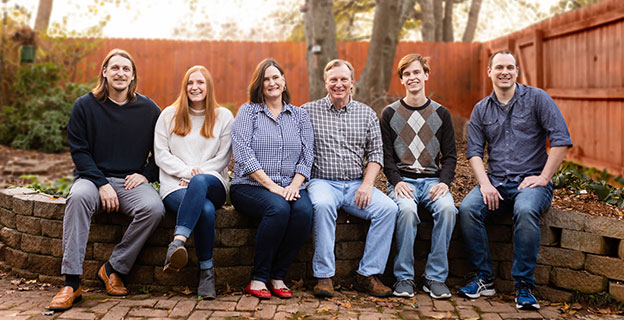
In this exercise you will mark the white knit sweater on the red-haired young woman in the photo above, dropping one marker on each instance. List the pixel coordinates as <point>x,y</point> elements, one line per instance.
<point>176,156</point>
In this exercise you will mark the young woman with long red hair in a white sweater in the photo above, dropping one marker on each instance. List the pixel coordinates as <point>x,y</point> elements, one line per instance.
<point>192,147</point>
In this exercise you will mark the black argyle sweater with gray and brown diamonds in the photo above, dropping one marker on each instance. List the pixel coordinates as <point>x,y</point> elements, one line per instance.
<point>418,142</point>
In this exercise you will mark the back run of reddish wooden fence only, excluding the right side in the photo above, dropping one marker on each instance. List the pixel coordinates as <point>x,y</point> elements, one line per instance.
<point>161,64</point>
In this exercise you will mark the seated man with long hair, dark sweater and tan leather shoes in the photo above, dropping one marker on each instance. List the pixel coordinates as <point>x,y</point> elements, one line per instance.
<point>111,136</point>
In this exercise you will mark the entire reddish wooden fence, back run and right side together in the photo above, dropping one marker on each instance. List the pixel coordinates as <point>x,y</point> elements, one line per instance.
<point>576,57</point>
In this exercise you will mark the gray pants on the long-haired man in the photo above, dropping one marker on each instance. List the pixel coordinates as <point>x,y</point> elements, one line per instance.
<point>142,203</point>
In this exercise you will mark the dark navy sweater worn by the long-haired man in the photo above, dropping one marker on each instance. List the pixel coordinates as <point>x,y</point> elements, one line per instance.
<point>108,140</point>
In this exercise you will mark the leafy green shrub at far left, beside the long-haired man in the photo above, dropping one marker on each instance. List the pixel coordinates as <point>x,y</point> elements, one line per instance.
<point>38,118</point>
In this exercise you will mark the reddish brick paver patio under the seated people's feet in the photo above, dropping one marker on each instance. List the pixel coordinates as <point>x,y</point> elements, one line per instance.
<point>31,302</point>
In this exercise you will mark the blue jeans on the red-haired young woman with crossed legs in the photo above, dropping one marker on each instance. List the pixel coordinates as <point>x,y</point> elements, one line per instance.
<point>195,207</point>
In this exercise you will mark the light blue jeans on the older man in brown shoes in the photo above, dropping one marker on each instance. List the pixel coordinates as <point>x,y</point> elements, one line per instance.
<point>327,197</point>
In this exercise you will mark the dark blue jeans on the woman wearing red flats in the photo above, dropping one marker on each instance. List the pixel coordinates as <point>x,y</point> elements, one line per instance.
<point>284,227</point>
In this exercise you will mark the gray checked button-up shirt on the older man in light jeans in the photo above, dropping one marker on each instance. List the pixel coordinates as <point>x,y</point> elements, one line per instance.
<point>344,139</point>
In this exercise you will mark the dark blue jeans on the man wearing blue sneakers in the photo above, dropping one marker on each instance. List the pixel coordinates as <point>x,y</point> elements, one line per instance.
<point>527,206</point>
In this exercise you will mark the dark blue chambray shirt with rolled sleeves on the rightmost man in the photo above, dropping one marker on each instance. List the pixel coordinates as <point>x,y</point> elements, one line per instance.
<point>516,139</point>
